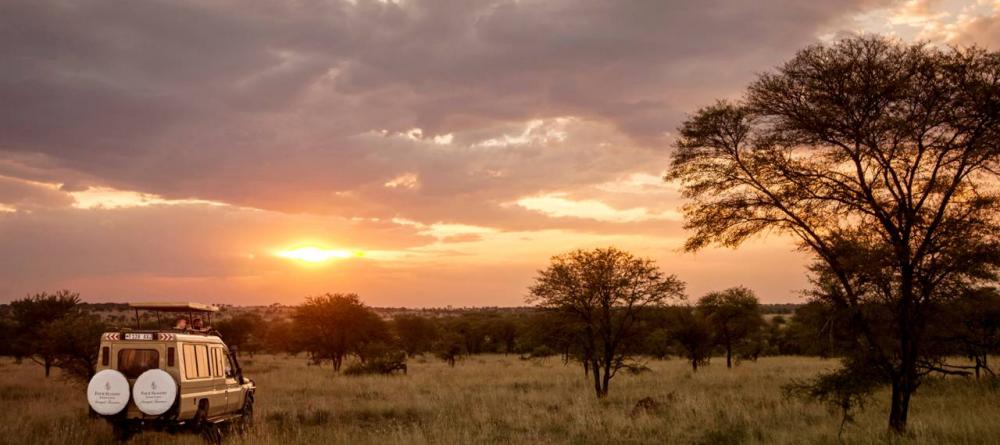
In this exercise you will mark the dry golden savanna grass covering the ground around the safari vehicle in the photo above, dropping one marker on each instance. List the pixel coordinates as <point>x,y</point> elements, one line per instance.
<point>499,399</point>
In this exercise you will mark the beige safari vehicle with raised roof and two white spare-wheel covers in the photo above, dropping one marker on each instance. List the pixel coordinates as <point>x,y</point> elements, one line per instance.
<point>169,379</point>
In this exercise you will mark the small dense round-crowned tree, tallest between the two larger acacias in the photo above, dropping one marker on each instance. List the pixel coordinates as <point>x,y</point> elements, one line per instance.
<point>734,315</point>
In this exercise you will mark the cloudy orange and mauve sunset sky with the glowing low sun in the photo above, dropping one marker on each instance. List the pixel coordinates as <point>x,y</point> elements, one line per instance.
<point>420,153</point>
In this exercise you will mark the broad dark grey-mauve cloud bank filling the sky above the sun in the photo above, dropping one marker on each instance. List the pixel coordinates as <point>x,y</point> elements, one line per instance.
<point>271,104</point>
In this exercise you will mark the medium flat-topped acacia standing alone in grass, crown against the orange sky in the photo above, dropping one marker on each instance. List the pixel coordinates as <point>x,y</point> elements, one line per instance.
<point>604,292</point>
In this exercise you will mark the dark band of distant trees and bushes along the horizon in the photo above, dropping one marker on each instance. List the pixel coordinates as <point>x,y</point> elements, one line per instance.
<point>55,330</point>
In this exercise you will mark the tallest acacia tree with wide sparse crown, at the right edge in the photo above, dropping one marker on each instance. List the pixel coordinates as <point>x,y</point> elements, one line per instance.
<point>880,159</point>
